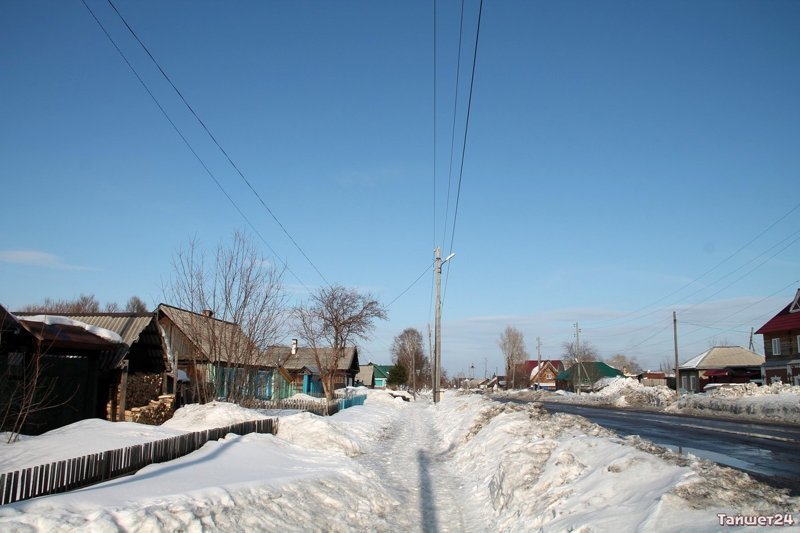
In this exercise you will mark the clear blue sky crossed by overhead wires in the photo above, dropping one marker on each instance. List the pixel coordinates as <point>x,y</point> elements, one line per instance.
<point>617,151</point>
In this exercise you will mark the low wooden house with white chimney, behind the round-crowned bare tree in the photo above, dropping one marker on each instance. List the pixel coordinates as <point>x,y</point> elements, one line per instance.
<point>298,365</point>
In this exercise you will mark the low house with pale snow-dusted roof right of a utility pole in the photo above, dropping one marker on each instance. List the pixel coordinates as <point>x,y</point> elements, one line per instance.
<point>720,364</point>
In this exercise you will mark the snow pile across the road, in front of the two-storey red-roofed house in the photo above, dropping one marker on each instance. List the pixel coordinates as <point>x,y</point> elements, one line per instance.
<point>778,402</point>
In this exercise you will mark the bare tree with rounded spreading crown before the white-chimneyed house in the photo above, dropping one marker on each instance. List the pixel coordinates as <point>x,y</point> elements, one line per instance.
<point>333,317</point>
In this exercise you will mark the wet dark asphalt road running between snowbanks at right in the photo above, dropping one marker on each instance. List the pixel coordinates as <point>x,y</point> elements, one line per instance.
<point>768,452</point>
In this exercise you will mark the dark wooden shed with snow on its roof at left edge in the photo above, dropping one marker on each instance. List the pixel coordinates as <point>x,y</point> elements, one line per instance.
<point>48,362</point>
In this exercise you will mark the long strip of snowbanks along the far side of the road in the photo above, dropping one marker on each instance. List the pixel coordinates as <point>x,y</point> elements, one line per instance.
<point>777,403</point>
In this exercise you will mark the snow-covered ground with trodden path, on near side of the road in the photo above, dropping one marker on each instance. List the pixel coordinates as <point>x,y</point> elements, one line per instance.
<point>466,464</point>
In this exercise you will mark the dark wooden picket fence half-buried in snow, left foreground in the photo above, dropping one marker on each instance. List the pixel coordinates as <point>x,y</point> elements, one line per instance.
<point>70,474</point>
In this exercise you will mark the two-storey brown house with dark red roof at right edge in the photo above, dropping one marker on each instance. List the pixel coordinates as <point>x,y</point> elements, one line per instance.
<point>782,345</point>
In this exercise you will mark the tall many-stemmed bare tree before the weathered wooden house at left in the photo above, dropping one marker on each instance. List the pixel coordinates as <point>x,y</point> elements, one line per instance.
<point>238,287</point>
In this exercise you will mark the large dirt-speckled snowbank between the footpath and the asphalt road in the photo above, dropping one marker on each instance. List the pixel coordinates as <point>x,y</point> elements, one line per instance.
<point>563,473</point>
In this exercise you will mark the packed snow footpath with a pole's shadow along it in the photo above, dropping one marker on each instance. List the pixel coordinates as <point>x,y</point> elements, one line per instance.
<point>432,497</point>
